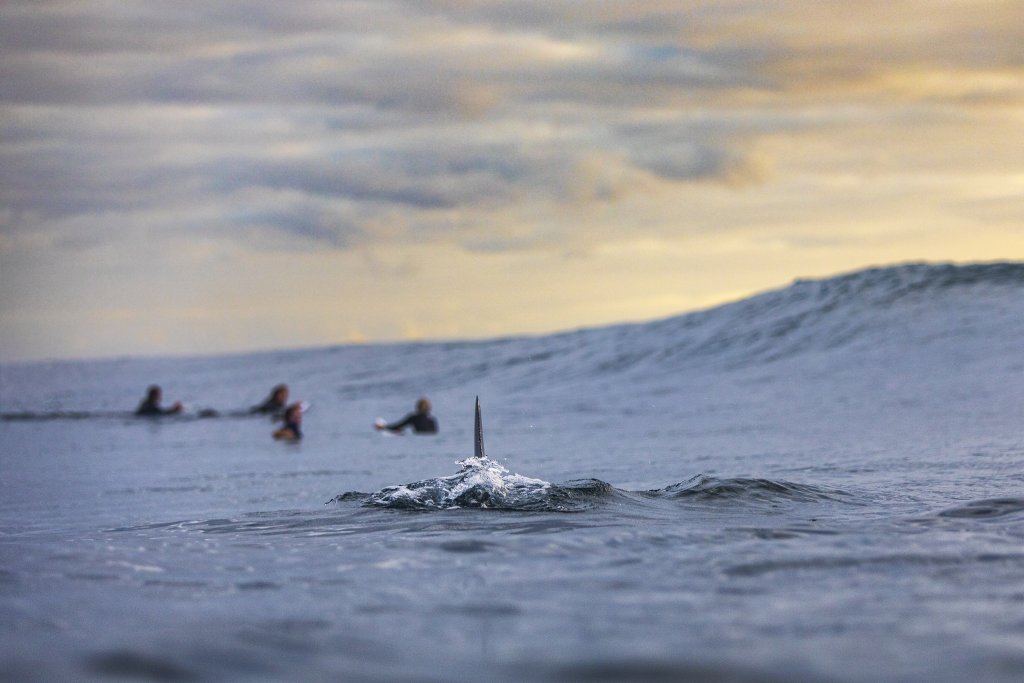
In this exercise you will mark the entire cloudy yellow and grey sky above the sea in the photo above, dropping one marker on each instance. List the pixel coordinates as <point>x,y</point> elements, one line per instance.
<point>206,177</point>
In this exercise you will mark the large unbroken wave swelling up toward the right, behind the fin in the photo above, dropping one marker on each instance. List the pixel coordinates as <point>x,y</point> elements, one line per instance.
<point>875,311</point>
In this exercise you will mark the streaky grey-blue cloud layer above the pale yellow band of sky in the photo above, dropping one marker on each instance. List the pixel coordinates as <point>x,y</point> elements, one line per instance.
<point>352,124</point>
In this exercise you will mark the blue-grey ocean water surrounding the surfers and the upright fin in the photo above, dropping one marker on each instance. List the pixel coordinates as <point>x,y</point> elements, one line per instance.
<point>820,484</point>
